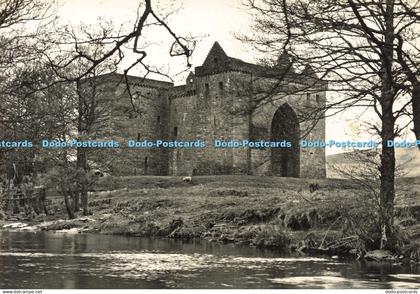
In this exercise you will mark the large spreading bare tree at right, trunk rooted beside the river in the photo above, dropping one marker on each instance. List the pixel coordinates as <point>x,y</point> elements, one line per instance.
<point>367,53</point>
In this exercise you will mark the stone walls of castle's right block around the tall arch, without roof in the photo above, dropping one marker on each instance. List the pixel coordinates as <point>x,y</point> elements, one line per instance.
<point>225,114</point>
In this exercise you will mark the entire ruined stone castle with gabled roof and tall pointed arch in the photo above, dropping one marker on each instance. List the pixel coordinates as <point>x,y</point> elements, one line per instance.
<point>224,99</point>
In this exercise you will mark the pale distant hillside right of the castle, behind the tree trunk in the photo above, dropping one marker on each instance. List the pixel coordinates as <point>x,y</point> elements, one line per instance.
<point>407,158</point>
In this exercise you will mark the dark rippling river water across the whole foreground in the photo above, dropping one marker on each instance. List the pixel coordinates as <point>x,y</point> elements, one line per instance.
<point>59,260</point>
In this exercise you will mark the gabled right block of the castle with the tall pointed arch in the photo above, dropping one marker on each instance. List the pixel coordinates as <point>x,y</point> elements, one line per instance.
<point>218,103</point>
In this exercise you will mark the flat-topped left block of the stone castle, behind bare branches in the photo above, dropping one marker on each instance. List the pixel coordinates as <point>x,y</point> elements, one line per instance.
<point>147,120</point>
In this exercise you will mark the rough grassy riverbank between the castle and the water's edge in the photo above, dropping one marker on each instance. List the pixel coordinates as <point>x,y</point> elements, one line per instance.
<point>285,213</point>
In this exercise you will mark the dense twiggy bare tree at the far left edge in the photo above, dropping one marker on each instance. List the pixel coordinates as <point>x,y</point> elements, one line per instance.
<point>23,34</point>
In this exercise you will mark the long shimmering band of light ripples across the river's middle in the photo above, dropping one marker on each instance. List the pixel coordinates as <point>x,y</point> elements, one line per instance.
<point>149,265</point>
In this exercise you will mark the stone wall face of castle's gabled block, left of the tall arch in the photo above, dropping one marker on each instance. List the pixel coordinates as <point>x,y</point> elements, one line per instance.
<point>208,115</point>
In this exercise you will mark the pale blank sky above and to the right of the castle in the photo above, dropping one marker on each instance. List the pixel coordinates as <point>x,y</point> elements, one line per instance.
<point>210,21</point>
